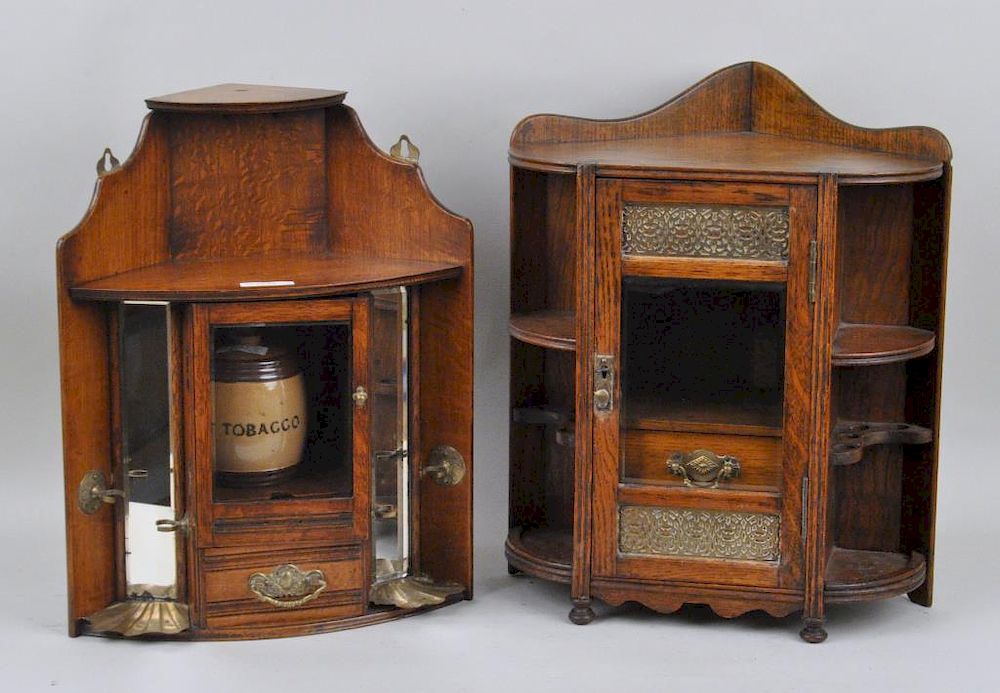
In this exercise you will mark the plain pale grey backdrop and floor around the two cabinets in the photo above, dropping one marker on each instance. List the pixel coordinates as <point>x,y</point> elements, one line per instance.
<point>457,76</point>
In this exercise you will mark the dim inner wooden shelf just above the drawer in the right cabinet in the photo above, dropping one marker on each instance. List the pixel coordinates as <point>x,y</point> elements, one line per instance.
<point>735,413</point>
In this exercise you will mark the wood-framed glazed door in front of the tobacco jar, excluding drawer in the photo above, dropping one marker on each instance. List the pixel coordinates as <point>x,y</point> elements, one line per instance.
<point>279,423</point>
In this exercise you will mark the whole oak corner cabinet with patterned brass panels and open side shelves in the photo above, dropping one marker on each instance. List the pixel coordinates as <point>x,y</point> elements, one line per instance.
<point>726,324</point>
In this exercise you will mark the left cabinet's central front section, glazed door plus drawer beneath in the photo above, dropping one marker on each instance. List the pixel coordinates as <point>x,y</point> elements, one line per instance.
<point>278,426</point>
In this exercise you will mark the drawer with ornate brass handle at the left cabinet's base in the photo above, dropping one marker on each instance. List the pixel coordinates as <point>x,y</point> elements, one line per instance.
<point>282,586</point>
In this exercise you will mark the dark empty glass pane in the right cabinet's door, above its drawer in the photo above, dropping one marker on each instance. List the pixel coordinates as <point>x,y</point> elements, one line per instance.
<point>702,355</point>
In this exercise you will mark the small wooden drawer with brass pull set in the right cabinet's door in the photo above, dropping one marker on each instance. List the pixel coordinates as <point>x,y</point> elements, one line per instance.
<point>646,456</point>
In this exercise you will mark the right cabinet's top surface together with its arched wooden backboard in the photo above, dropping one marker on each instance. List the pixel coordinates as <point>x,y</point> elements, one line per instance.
<point>745,122</point>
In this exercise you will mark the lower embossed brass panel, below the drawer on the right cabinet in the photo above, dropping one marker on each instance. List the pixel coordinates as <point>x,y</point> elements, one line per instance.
<point>661,531</point>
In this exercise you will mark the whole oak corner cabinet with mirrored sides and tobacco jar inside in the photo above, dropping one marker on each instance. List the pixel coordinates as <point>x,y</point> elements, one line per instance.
<point>265,332</point>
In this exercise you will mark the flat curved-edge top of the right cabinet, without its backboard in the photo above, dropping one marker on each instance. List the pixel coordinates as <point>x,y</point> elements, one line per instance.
<point>748,153</point>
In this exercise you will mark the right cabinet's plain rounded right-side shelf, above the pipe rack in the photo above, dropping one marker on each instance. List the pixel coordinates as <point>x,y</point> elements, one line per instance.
<point>870,345</point>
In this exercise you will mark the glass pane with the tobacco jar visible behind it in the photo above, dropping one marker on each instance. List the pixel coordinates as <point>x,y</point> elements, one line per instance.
<point>282,403</point>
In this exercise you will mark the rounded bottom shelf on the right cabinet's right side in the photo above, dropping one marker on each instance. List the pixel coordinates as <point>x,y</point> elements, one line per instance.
<point>857,576</point>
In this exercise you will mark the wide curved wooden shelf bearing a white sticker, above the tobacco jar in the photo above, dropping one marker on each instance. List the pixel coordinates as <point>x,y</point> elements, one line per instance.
<point>253,278</point>
